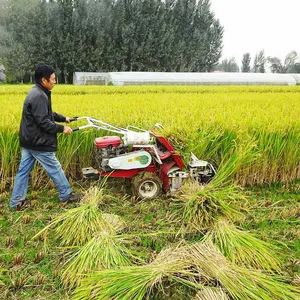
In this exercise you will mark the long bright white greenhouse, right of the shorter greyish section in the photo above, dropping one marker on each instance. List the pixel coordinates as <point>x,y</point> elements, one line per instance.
<point>219,78</point>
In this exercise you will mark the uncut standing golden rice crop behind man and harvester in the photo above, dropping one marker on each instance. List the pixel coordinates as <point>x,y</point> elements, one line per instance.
<point>209,121</point>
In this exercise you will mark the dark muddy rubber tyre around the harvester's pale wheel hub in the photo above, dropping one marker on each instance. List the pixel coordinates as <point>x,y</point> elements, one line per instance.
<point>142,178</point>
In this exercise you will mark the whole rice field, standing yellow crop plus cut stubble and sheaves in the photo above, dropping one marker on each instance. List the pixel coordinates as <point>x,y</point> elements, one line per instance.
<point>234,238</point>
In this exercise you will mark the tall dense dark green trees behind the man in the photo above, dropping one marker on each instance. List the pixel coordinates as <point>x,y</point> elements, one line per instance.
<point>108,35</point>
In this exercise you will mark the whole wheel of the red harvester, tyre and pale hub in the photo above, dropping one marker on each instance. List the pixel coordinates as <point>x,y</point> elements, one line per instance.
<point>146,185</point>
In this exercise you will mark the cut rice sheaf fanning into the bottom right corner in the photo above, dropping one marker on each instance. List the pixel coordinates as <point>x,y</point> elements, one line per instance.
<point>239,282</point>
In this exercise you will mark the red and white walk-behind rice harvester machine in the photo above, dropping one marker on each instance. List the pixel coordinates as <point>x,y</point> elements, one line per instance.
<point>148,159</point>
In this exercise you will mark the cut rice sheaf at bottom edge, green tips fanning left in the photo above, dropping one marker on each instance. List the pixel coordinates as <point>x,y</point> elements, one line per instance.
<point>135,282</point>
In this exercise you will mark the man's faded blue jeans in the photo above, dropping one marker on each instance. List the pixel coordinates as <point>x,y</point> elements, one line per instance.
<point>50,163</point>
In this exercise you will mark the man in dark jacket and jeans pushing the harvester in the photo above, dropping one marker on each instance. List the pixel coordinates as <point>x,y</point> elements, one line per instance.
<point>38,139</point>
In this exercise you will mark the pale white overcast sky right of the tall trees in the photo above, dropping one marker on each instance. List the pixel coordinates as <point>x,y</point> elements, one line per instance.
<point>254,25</point>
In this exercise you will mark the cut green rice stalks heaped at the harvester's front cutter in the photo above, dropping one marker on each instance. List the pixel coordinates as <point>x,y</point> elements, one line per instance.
<point>202,205</point>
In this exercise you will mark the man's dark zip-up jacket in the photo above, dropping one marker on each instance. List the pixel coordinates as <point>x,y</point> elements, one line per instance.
<point>38,128</point>
